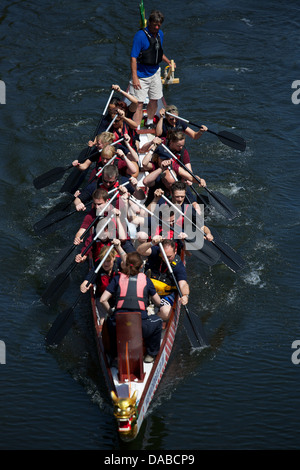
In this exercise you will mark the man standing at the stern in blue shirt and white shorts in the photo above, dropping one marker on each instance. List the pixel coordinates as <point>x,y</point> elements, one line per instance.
<point>146,55</point>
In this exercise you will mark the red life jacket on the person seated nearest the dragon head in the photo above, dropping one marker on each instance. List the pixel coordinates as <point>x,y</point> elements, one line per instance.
<point>132,292</point>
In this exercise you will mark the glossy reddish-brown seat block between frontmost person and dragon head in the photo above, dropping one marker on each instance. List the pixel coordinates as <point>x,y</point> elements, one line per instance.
<point>130,346</point>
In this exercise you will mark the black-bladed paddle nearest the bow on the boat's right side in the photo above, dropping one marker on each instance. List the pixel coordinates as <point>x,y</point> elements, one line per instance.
<point>195,330</point>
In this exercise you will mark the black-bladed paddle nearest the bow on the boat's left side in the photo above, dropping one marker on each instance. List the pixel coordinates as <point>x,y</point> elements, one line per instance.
<point>65,319</point>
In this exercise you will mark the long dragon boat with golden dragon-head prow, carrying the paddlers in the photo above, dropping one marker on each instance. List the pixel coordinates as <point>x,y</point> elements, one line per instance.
<point>133,383</point>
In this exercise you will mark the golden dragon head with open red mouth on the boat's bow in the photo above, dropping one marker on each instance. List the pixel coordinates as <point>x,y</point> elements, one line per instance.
<point>125,412</point>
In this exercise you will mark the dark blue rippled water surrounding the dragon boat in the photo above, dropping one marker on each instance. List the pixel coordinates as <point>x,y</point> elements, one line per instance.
<point>236,62</point>
